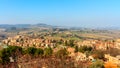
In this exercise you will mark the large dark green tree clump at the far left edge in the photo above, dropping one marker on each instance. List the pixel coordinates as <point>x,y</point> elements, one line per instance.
<point>11,51</point>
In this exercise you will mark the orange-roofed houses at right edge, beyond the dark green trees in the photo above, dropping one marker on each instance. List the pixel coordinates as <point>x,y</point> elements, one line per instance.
<point>100,44</point>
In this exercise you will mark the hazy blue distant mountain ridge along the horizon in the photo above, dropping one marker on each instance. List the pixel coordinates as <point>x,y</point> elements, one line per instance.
<point>7,26</point>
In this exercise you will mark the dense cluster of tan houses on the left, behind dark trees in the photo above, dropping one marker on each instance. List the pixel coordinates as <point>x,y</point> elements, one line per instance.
<point>25,41</point>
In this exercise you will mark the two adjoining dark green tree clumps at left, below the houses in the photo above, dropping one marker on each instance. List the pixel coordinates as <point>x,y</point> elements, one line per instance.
<point>16,51</point>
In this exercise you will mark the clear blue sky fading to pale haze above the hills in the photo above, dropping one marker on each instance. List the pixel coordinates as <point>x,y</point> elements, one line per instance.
<point>88,13</point>
